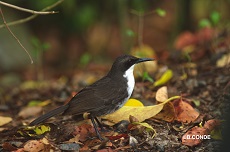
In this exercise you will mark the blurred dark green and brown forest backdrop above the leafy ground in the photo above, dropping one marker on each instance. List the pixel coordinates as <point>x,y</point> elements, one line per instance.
<point>92,31</point>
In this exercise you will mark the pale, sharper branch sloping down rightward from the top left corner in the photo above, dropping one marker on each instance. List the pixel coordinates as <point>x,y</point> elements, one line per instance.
<point>26,10</point>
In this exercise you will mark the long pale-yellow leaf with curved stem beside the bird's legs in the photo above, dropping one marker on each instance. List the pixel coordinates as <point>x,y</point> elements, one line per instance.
<point>141,113</point>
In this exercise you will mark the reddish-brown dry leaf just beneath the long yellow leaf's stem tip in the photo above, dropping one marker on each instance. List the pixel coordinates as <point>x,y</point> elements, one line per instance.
<point>185,112</point>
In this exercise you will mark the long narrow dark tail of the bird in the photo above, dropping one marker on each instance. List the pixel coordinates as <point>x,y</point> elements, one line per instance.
<point>48,115</point>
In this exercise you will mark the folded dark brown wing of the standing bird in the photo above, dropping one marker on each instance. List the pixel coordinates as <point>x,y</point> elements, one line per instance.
<point>95,97</point>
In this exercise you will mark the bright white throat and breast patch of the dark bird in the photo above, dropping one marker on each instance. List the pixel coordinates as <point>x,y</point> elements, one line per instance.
<point>131,82</point>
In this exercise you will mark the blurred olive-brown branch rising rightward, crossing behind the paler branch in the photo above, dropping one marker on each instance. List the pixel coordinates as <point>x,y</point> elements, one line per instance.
<point>32,16</point>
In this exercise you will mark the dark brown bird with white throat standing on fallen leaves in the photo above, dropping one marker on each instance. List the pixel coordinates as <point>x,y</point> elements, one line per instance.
<point>104,96</point>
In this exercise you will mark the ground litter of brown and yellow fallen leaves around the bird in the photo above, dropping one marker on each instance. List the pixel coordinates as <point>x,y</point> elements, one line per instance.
<point>170,118</point>
